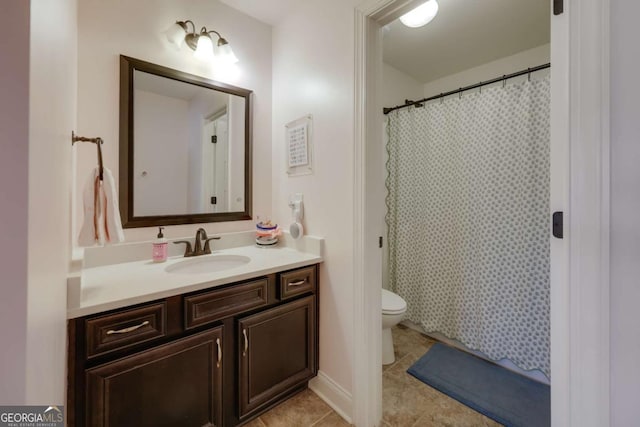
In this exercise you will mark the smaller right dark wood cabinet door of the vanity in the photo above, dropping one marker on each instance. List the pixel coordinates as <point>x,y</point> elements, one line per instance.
<point>277,352</point>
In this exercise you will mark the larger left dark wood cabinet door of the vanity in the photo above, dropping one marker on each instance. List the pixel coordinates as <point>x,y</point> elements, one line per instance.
<point>176,384</point>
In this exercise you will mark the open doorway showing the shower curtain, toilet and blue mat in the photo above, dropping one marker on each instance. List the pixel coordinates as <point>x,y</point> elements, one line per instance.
<point>466,169</point>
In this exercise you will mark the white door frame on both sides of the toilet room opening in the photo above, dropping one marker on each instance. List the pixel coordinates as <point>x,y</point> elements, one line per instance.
<point>580,261</point>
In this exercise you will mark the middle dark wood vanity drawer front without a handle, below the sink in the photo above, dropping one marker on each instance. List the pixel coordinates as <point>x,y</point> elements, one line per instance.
<point>215,305</point>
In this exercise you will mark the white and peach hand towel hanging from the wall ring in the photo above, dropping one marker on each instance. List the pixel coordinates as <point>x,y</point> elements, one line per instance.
<point>101,213</point>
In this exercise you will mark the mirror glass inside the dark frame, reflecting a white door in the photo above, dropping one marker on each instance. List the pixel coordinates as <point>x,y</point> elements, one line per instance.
<point>183,160</point>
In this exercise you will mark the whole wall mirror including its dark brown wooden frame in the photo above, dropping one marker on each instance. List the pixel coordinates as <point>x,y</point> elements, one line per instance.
<point>185,147</point>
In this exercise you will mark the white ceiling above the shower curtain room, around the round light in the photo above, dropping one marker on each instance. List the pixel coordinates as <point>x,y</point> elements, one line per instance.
<point>465,34</point>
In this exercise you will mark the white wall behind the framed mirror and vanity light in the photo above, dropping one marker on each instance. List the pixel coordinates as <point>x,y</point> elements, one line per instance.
<point>107,29</point>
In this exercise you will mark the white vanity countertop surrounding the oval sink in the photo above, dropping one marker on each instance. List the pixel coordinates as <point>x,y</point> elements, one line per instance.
<point>111,286</point>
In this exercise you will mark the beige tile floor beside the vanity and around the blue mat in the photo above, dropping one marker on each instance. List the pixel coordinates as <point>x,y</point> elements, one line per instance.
<point>406,401</point>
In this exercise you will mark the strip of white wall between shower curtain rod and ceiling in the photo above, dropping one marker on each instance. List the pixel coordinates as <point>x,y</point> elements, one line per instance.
<point>510,64</point>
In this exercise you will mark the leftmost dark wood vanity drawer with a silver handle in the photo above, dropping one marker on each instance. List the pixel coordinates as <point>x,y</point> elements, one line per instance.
<point>124,329</point>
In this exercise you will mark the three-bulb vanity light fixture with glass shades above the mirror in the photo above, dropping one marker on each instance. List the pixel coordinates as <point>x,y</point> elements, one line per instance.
<point>201,43</point>
